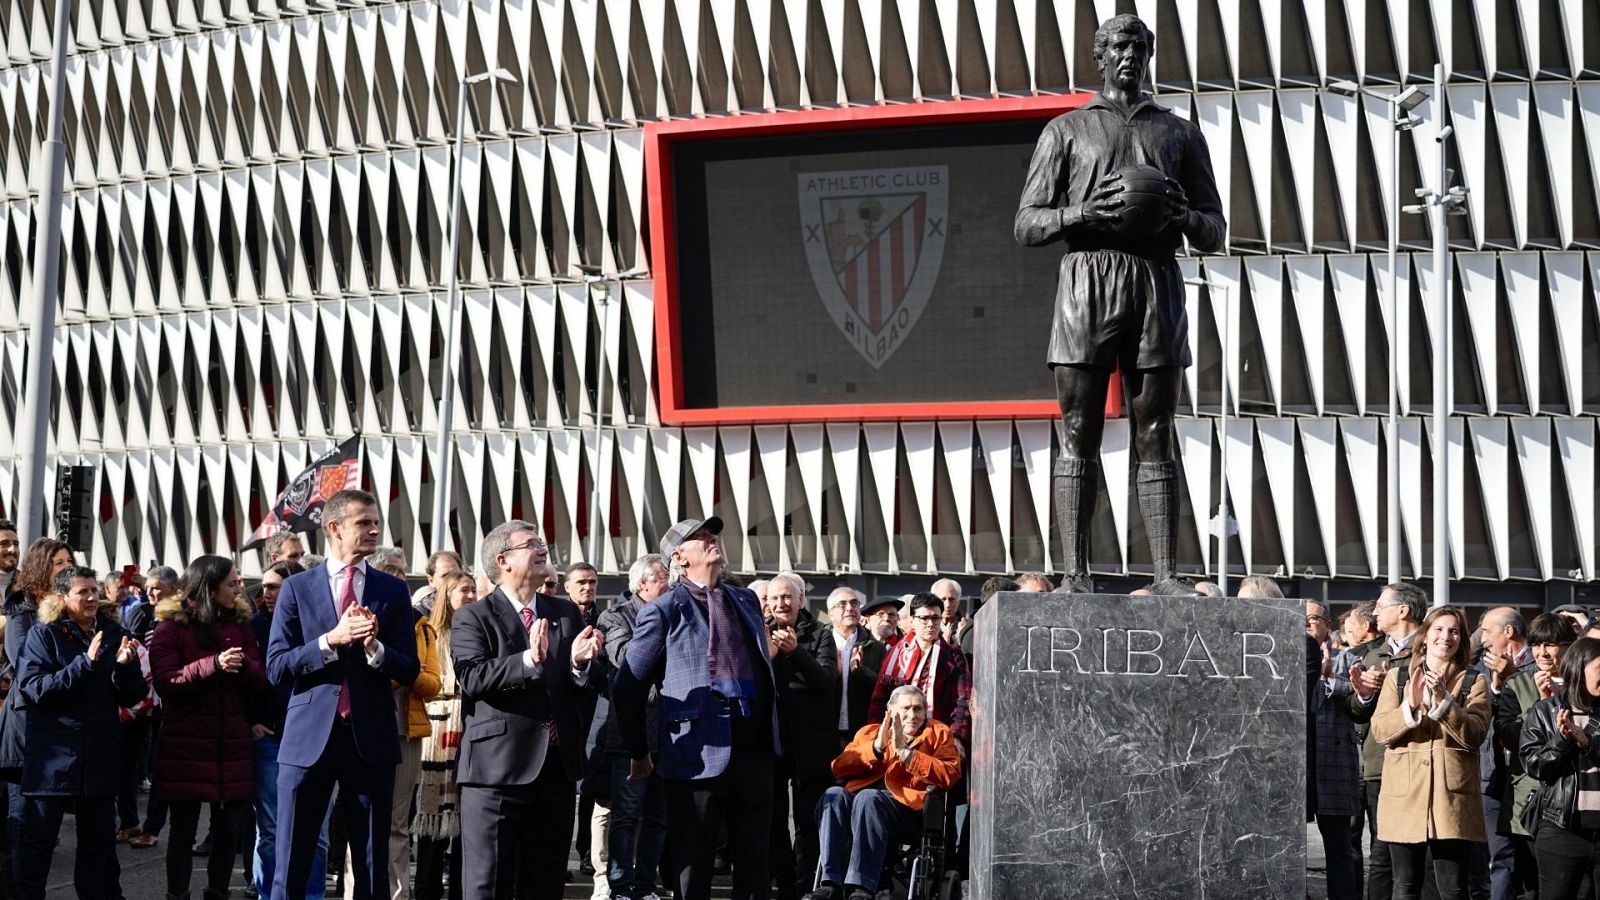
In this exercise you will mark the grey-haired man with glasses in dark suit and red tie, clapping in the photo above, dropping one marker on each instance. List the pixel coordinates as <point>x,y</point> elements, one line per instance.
<point>522,662</point>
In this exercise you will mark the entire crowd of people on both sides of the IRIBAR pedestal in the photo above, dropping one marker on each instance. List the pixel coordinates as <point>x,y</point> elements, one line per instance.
<point>462,741</point>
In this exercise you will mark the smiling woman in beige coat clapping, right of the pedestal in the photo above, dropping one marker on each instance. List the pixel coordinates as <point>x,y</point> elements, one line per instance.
<point>1433,721</point>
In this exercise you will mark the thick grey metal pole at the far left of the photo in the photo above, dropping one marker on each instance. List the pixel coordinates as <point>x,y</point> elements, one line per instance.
<point>34,432</point>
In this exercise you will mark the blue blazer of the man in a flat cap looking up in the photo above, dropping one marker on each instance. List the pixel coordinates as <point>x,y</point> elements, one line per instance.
<point>670,649</point>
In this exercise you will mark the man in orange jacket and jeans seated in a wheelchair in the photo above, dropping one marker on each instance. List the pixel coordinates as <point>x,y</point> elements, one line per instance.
<point>887,773</point>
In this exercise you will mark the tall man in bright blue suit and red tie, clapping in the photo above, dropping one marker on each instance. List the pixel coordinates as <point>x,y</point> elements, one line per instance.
<point>340,635</point>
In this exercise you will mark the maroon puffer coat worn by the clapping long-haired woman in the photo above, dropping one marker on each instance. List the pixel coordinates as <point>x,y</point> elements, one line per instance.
<point>206,752</point>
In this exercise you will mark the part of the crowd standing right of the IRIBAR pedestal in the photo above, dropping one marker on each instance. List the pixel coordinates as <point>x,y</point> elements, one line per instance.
<point>1470,755</point>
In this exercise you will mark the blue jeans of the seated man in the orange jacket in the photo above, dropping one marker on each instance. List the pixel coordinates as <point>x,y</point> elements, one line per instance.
<point>857,834</point>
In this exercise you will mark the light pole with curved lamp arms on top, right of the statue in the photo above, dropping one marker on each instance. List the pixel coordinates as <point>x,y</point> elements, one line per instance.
<point>1401,119</point>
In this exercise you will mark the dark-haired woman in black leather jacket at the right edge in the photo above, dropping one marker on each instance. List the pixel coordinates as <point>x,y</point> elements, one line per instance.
<point>1561,747</point>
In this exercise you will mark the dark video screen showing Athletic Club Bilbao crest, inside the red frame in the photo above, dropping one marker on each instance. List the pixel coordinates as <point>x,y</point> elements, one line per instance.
<point>870,267</point>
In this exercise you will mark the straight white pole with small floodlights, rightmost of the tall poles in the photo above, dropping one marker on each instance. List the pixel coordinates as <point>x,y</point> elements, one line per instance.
<point>1441,352</point>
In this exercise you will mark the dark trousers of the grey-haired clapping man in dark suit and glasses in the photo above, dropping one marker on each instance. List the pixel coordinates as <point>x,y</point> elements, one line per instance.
<point>516,840</point>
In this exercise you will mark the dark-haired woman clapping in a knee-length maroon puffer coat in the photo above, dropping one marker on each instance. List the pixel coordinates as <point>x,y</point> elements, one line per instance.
<point>207,669</point>
